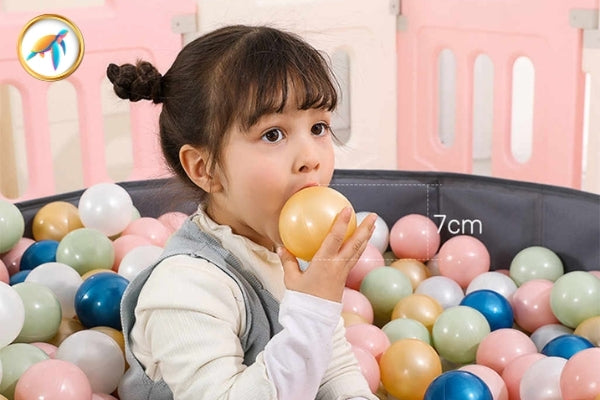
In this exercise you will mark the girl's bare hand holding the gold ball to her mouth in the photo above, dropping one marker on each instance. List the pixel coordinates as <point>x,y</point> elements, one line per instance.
<point>326,275</point>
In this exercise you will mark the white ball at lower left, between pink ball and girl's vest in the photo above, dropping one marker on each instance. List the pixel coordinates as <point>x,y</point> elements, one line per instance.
<point>99,357</point>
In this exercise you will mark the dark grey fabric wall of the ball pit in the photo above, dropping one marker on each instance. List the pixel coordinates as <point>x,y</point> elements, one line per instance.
<point>507,216</point>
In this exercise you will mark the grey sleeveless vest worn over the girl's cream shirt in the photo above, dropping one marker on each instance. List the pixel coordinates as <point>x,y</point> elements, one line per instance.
<point>262,309</point>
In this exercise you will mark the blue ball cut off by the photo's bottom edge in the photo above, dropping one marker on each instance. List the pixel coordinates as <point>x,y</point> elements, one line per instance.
<point>458,385</point>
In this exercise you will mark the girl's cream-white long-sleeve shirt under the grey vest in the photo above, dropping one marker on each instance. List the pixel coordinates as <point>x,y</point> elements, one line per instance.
<point>190,315</point>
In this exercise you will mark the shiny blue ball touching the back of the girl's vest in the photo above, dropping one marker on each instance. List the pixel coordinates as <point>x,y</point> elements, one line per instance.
<point>98,299</point>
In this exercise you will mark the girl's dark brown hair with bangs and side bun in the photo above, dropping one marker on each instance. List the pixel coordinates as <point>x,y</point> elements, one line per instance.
<point>232,75</point>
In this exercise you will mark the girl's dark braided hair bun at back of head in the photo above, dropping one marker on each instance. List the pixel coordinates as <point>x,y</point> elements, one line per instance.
<point>136,82</point>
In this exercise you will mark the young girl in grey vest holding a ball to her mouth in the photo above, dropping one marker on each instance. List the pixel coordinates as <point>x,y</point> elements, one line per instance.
<point>227,313</point>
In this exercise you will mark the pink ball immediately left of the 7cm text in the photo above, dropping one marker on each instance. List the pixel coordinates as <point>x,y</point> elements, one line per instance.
<point>414,236</point>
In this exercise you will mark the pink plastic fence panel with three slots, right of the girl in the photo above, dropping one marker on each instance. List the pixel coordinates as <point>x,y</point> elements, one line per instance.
<point>504,31</point>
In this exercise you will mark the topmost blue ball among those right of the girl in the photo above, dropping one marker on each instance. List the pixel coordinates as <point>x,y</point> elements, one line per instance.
<point>494,307</point>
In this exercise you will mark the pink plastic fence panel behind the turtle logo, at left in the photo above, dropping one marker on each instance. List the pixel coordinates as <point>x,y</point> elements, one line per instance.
<point>119,31</point>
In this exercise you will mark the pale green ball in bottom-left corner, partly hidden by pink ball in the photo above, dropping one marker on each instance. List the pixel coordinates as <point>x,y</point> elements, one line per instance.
<point>15,359</point>
